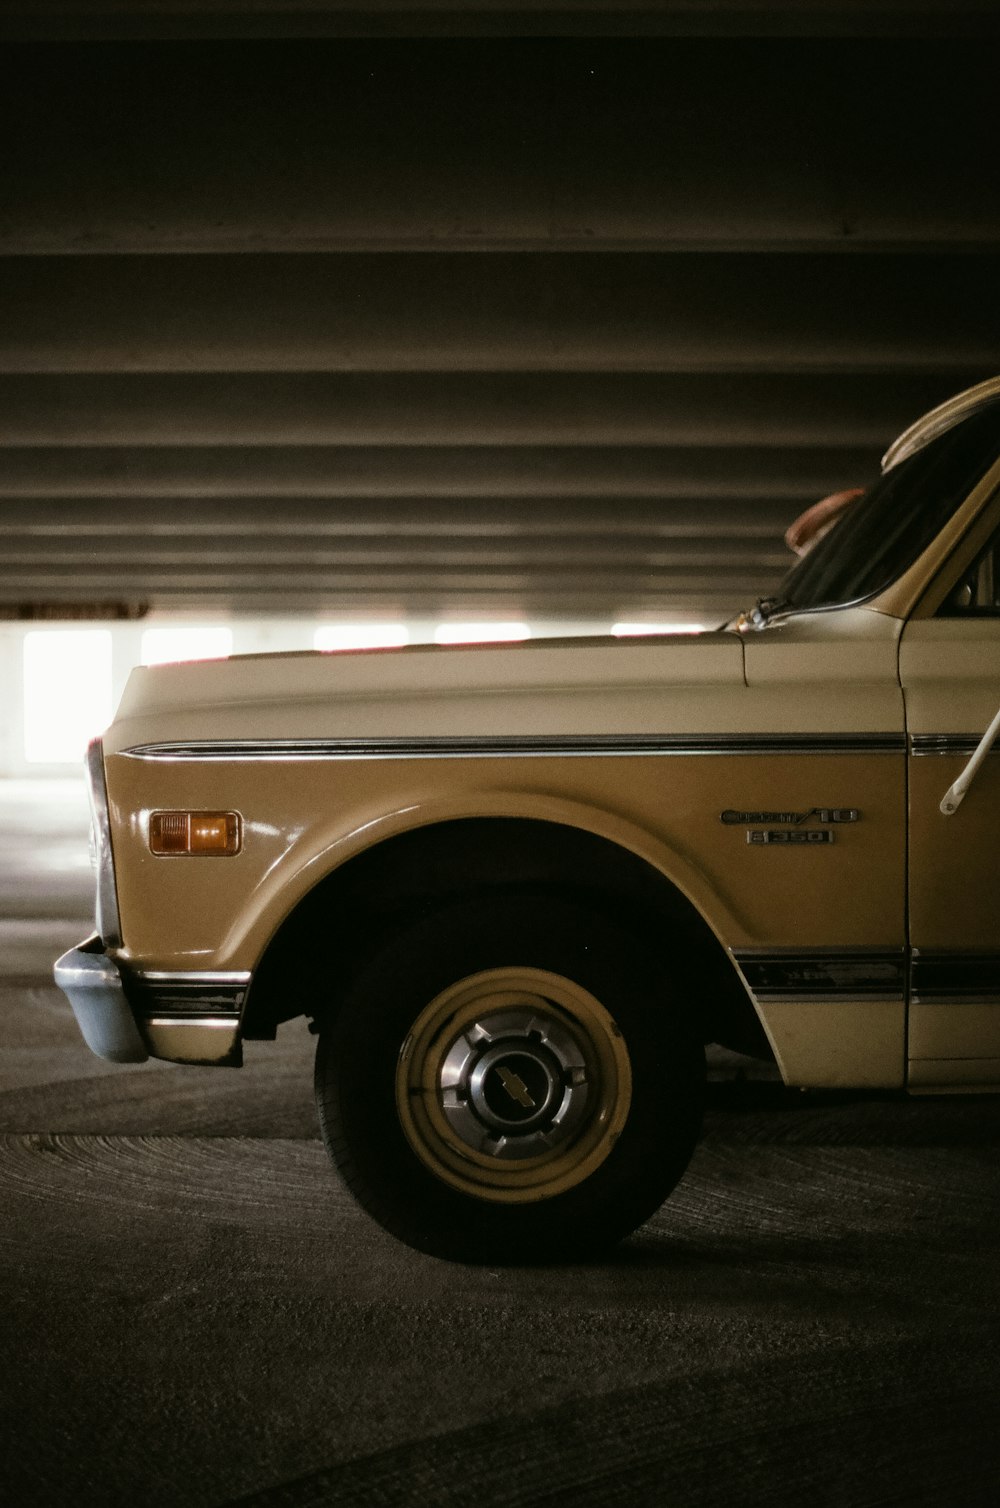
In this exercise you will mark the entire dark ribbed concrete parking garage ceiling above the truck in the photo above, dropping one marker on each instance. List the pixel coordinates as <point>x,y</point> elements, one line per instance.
<point>477,310</point>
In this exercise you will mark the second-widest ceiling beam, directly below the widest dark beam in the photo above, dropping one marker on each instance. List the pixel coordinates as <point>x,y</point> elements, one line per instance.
<point>500,313</point>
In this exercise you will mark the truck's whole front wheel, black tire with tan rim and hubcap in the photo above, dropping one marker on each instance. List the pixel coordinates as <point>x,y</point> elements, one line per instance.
<point>624,1126</point>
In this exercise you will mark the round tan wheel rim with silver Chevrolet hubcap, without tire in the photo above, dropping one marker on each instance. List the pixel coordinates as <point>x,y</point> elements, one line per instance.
<point>514,1085</point>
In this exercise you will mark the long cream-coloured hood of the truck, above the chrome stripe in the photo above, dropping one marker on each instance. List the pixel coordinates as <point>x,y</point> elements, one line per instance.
<point>568,688</point>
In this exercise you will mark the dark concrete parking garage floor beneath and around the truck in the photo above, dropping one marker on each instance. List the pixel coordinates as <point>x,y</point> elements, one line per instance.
<point>195,1313</point>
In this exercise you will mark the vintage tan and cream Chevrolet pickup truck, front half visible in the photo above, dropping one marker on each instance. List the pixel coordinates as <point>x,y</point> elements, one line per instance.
<point>520,889</point>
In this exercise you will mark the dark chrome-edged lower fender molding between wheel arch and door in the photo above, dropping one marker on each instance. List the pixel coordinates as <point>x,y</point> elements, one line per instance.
<point>824,975</point>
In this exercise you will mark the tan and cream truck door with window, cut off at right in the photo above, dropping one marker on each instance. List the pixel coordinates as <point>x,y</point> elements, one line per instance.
<point>951,676</point>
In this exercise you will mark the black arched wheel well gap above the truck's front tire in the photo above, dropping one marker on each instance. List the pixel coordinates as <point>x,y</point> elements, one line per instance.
<point>342,922</point>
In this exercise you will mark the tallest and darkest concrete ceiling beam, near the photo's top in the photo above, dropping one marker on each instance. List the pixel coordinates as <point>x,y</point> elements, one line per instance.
<point>692,144</point>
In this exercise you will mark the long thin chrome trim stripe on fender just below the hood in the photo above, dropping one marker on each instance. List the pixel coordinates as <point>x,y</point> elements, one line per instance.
<point>526,747</point>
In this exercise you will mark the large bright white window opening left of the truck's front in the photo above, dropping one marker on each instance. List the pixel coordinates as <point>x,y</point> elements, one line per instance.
<point>67,693</point>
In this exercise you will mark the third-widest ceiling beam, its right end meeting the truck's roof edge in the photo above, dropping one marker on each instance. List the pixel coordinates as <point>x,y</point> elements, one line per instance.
<point>471,409</point>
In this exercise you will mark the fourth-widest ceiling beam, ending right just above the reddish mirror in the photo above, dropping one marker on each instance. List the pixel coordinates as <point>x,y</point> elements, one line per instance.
<point>428,473</point>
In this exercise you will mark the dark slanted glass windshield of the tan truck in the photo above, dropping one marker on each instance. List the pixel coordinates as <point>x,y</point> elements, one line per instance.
<point>894,523</point>
